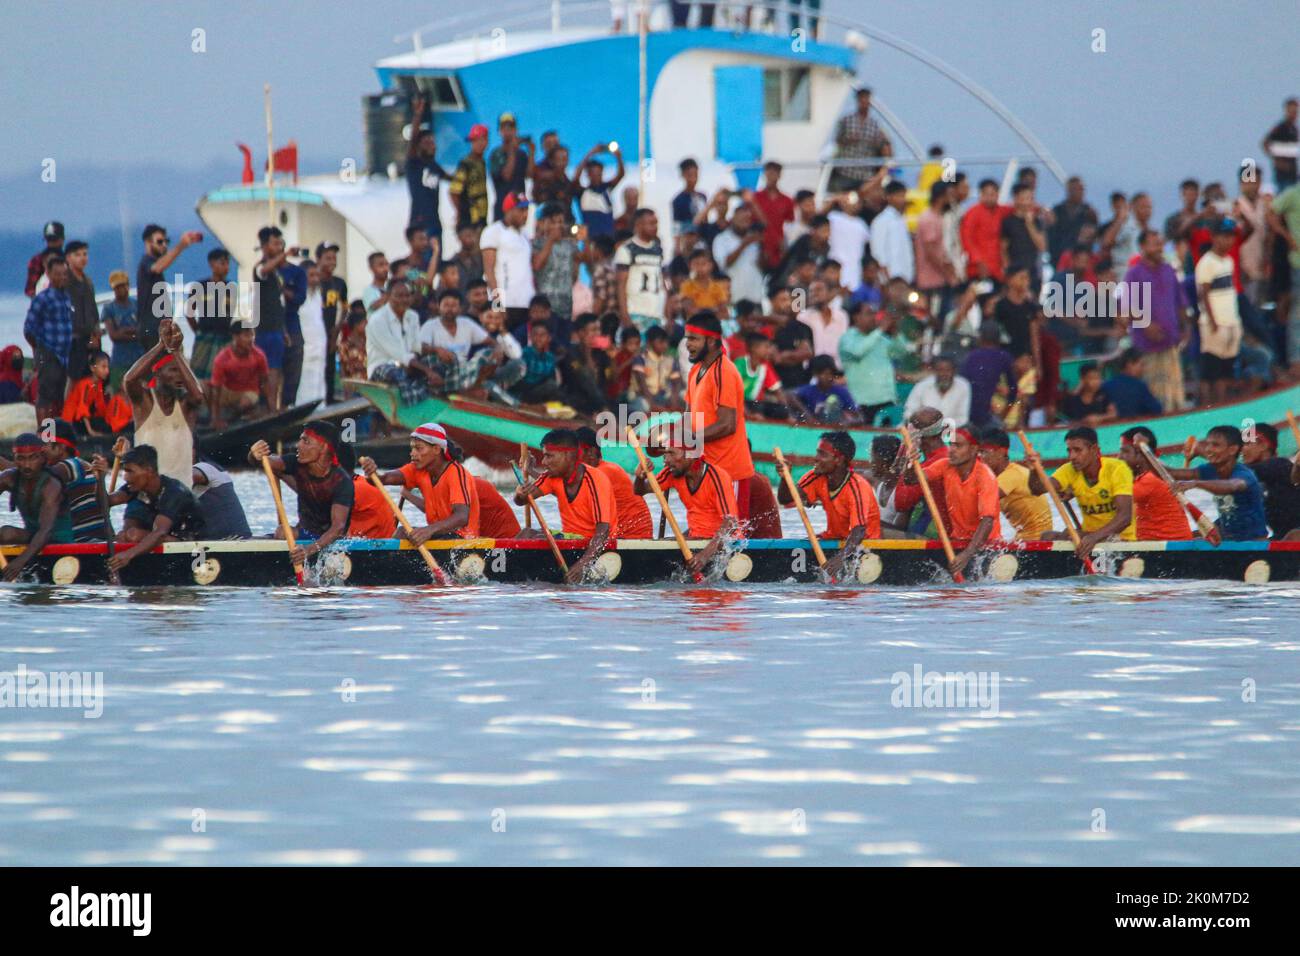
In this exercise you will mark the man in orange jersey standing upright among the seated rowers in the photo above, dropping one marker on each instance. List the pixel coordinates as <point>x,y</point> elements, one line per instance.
<point>716,417</point>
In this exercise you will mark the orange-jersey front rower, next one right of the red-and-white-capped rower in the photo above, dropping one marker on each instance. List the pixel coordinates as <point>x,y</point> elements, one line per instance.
<point>584,496</point>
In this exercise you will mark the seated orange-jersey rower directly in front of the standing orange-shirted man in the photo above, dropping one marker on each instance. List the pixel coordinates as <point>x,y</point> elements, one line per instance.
<point>705,490</point>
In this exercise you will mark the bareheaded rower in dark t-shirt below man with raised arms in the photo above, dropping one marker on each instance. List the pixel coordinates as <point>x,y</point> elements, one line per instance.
<point>161,509</point>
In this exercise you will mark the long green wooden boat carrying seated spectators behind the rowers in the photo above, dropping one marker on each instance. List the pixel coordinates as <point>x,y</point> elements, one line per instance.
<point>495,432</point>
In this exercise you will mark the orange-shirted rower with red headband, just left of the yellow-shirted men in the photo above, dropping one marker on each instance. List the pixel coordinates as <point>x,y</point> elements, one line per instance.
<point>970,495</point>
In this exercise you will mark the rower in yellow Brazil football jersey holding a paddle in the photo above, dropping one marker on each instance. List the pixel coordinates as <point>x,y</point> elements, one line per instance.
<point>1104,488</point>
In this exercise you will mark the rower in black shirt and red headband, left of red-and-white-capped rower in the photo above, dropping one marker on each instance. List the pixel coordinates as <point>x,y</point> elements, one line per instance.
<point>326,494</point>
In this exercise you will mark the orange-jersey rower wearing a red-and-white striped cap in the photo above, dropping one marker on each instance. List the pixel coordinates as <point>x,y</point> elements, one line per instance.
<point>444,485</point>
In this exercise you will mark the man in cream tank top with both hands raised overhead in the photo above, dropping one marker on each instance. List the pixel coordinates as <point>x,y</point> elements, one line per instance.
<point>166,400</point>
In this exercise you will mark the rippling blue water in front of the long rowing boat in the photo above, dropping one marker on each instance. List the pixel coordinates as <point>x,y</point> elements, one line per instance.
<point>532,725</point>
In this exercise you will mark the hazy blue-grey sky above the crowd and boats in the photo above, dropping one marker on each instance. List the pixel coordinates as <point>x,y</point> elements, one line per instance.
<point>1182,89</point>
